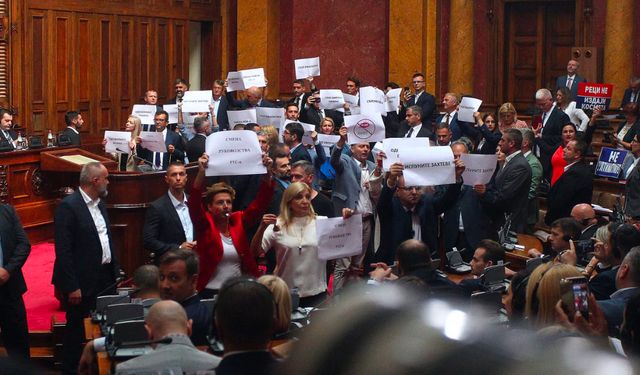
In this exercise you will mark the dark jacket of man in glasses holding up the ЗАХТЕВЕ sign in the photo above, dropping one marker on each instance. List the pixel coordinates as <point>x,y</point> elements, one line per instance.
<point>395,224</point>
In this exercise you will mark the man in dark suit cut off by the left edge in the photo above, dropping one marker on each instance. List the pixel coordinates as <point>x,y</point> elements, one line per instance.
<point>14,250</point>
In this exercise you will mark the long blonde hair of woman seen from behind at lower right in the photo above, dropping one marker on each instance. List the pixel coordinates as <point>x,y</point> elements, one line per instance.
<point>543,292</point>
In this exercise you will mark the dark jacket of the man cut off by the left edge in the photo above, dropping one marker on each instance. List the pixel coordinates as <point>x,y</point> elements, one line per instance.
<point>15,250</point>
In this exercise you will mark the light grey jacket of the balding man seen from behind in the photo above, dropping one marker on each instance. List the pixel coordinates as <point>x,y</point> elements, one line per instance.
<point>179,353</point>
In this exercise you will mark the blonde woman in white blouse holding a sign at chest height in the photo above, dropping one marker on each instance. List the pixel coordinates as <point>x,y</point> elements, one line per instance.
<point>292,234</point>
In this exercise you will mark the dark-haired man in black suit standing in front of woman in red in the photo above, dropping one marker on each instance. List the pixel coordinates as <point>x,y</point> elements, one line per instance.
<point>574,186</point>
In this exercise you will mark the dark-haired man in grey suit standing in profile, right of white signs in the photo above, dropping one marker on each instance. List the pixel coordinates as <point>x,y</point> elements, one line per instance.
<point>506,196</point>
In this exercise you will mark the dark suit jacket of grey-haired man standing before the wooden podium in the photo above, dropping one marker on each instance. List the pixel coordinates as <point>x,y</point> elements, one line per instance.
<point>78,249</point>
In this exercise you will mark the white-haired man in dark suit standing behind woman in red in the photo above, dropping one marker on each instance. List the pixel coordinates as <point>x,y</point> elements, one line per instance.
<point>549,135</point>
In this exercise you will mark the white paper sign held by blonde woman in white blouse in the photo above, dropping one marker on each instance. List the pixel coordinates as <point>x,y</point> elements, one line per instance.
<point>338,237</point>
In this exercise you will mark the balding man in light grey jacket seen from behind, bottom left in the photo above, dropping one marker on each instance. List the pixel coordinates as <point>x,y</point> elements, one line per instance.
<point>168,319</point>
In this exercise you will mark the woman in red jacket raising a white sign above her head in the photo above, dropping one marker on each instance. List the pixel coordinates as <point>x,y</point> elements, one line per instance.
<point>220,233</point>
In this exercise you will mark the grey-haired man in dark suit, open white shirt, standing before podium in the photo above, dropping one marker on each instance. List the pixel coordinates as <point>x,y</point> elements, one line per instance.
<point>85,264</point>
